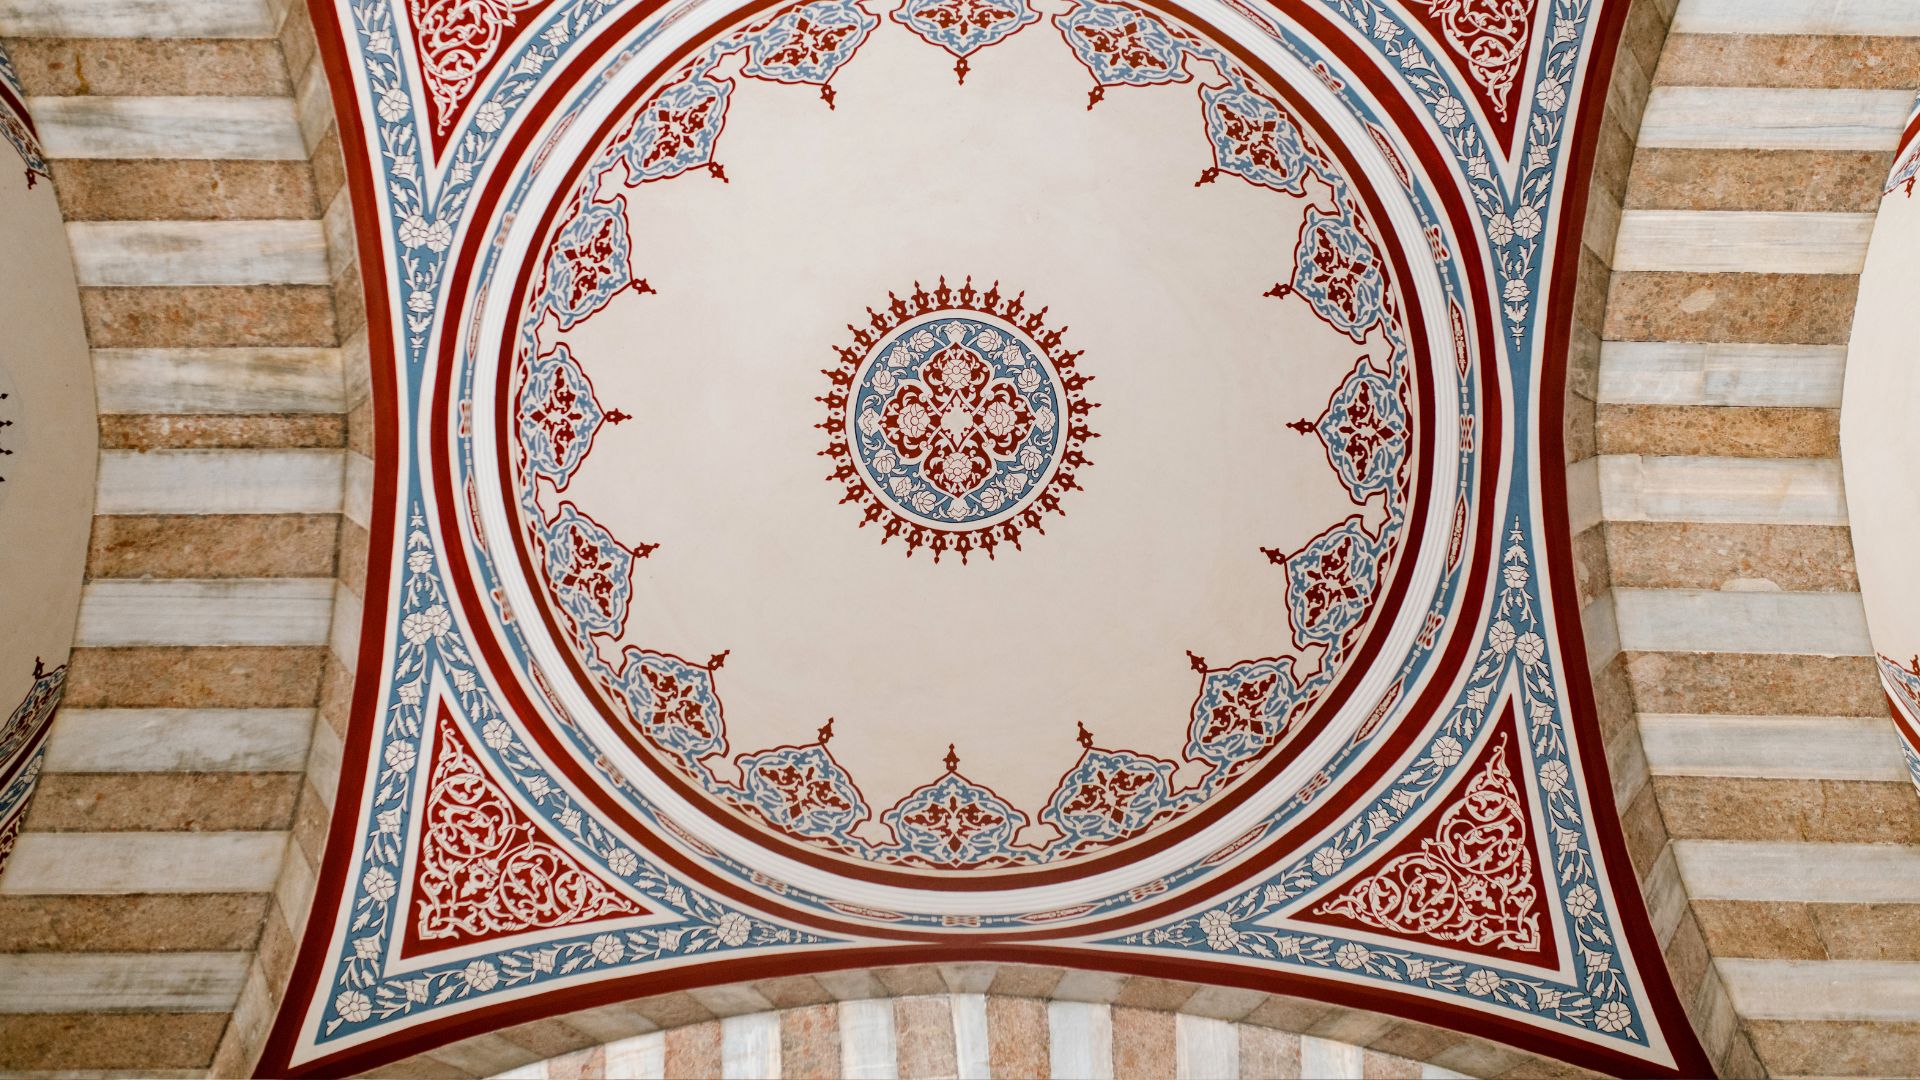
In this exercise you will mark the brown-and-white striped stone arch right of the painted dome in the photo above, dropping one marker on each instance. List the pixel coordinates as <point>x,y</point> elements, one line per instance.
<point>1765,798</point>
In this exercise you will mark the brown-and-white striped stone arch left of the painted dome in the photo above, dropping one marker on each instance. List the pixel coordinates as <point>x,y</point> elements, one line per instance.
<point>149,916</point>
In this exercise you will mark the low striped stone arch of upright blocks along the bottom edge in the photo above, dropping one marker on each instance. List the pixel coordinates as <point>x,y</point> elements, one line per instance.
<point>976,1019</point>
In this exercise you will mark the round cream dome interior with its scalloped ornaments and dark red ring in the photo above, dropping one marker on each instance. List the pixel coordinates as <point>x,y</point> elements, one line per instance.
<point>1222,599</point>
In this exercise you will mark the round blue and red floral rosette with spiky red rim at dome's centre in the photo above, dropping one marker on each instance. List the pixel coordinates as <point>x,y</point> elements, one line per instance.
<point>957,420</point>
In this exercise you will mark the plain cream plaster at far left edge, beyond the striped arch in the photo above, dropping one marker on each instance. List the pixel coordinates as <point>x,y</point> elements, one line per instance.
<point>47,499</point>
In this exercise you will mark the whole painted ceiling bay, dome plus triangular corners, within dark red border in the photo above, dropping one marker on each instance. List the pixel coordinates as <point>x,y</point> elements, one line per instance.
<point>1053,481</point>
